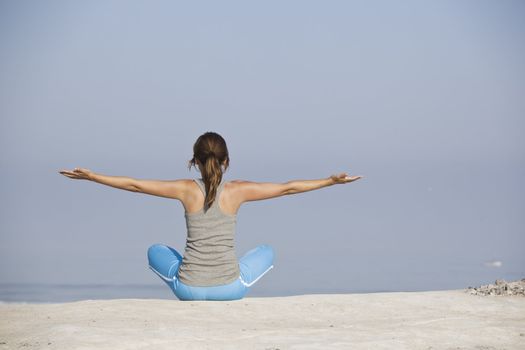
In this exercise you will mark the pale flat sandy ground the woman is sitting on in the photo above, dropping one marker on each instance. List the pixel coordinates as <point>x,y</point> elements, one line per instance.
<point>404,320</point>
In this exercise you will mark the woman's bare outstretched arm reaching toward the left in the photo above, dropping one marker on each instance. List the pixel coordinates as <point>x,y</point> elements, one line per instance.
<point>162,188</point>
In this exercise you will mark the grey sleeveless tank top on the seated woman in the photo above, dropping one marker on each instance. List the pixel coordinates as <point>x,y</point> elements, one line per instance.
<point>209,257</point>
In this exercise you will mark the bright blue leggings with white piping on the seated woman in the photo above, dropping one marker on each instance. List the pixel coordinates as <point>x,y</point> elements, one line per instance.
<point>165,262</point>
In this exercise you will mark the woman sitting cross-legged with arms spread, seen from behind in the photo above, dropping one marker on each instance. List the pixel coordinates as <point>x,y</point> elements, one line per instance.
<point>209,269</point>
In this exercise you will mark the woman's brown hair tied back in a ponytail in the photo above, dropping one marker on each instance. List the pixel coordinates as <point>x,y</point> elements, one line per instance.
<point>211,151</point>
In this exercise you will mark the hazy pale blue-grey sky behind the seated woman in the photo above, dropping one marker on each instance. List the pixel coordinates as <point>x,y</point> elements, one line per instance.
<point>424,99</point>
